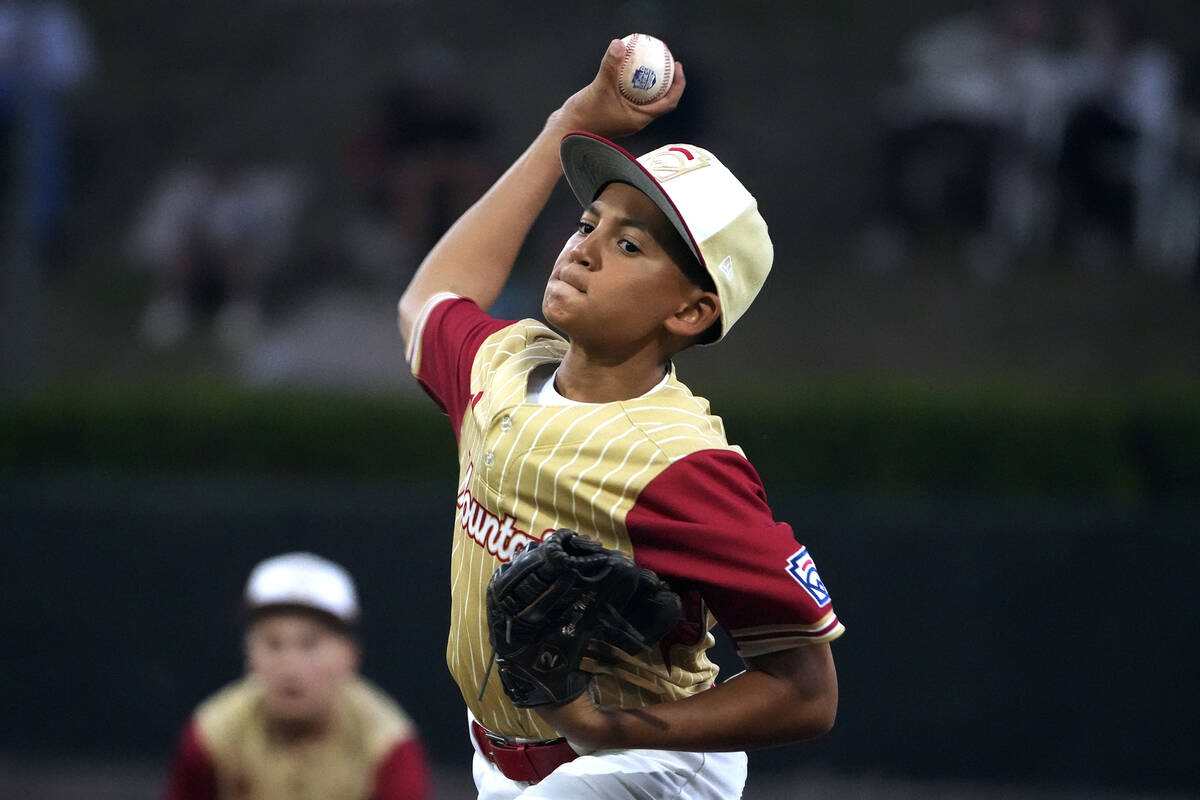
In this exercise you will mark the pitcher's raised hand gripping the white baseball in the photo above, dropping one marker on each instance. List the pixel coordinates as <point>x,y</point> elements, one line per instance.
<point>601,109</point>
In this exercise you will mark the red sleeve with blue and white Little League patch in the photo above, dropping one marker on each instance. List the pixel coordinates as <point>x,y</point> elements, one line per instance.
<point>704,525</point>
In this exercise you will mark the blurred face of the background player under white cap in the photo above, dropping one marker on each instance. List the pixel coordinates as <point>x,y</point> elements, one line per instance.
<point>302,663</point>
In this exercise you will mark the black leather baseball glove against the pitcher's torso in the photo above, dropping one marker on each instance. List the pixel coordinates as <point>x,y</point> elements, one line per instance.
<point>556,600</point>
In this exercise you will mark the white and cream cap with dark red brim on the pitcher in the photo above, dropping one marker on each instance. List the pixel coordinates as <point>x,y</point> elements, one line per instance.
<point>712,210</point>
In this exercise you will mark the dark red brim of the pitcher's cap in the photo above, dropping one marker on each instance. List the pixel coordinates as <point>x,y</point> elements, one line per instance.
<point>592,163</point>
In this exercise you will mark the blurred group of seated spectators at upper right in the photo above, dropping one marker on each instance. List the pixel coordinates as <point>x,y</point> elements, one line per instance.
<point>1028,133</point>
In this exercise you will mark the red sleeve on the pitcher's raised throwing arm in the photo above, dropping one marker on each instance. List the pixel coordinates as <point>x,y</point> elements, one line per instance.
<point>446,341</point>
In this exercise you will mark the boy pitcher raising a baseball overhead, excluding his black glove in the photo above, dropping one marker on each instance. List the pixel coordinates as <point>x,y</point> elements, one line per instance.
<point>590,429</point>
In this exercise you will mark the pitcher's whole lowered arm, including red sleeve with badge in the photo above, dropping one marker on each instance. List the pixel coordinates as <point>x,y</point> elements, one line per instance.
<point>705,524</point>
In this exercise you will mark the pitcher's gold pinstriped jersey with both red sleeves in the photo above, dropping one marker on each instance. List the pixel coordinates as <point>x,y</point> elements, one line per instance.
<point>652,477</point>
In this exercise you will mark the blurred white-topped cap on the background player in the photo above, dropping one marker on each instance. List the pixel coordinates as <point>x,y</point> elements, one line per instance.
<point>304,581</point>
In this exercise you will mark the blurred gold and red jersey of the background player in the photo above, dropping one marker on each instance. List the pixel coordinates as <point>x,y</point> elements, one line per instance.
<point>227,753</point>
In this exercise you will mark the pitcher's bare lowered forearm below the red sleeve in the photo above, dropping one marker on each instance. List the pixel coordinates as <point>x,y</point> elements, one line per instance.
<point>783,697</point>
